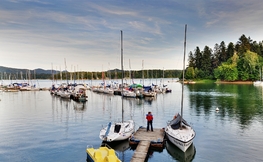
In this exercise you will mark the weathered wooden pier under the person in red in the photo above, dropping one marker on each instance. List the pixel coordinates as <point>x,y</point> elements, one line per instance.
<point>144,140</point>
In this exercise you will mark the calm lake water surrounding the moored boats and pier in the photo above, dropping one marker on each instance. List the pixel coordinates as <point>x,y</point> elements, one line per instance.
<point>36,126</point>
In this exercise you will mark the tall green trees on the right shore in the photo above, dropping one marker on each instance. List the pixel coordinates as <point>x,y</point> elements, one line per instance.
<point>235,62</point>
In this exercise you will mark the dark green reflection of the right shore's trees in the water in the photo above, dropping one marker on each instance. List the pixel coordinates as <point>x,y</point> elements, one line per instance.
<point>237,102</point>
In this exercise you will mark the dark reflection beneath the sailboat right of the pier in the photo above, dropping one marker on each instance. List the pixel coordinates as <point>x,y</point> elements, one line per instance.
<point>178,154</point>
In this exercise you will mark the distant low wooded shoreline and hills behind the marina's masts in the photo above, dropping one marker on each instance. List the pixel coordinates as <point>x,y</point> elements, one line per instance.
<point>25,74</point>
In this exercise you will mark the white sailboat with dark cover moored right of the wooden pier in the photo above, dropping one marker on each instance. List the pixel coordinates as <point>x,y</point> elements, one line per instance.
<point>178,131</point>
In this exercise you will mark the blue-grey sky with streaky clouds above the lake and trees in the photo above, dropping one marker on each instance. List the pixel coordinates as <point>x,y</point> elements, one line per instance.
<point>85,35</point>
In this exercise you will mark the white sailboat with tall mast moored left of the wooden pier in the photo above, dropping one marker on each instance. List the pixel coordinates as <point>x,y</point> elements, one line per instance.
<point>118,131</point>
